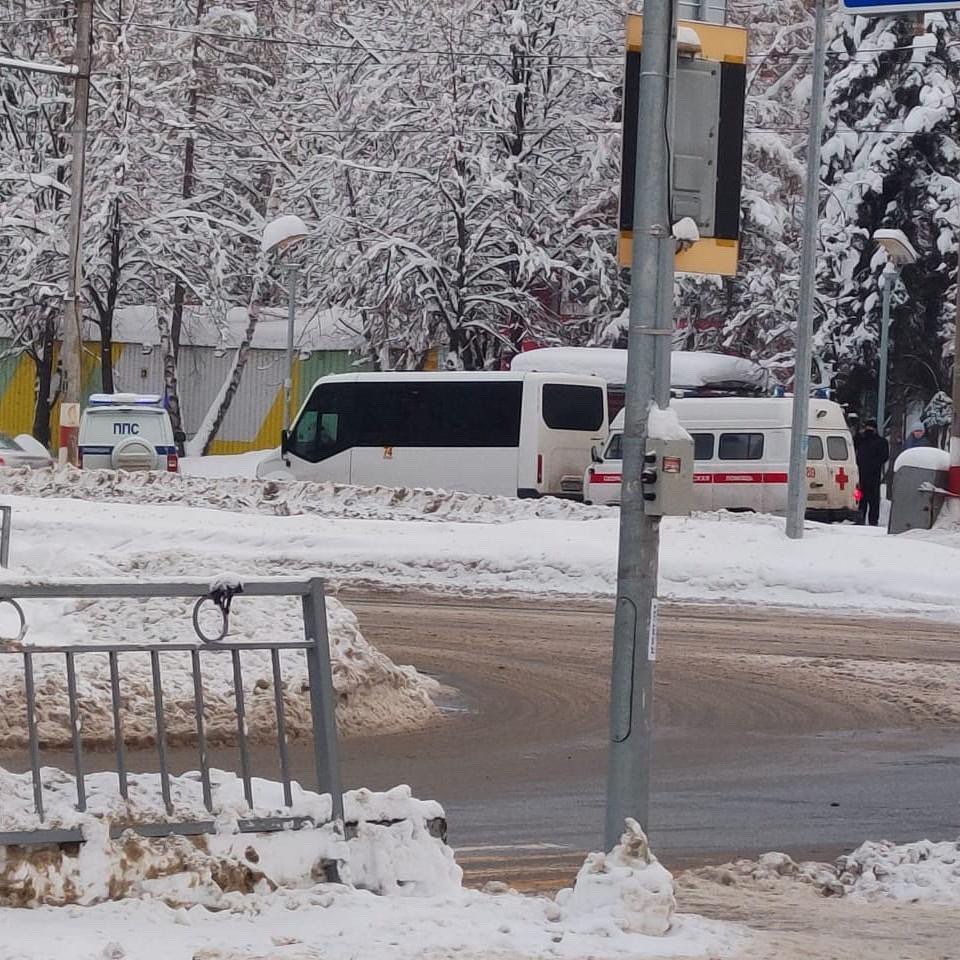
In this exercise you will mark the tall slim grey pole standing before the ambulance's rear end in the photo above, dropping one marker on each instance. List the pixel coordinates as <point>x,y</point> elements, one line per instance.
<point>797,489</point>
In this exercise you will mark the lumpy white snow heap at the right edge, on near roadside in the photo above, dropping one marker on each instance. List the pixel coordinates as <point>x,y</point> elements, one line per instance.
<point>923,871</point>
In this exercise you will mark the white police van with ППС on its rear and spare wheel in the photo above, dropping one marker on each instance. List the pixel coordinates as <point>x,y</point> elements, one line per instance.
<point>127,431</point>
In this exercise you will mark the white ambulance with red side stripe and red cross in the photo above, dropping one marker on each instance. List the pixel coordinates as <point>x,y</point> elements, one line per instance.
<point>742,455</point>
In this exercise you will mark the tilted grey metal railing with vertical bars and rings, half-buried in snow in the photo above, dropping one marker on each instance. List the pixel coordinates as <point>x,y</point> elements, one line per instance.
<point>315,646</point>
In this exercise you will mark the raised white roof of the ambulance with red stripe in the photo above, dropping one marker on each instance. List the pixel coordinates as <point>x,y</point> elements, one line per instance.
<point>733,412</point>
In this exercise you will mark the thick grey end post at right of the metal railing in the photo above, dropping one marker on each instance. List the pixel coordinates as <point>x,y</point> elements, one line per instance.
<point>322,698</point>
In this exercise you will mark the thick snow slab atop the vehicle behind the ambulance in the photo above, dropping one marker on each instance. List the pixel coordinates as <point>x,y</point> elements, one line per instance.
<point>692,370</point>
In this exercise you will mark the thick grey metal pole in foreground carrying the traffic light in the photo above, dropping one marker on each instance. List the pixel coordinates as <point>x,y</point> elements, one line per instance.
<point>631,693</point>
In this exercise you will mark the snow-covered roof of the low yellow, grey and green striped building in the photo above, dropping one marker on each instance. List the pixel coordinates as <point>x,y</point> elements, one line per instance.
<point>328,330</point>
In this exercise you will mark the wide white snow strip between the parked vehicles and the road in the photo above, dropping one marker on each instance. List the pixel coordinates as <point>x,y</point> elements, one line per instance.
<point>461,544</point>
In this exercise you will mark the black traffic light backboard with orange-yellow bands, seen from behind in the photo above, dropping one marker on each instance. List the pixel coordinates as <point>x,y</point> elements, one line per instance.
<point>706,146</point>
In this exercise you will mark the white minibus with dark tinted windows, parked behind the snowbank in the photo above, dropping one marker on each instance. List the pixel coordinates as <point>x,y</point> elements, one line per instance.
<point>513,434</point>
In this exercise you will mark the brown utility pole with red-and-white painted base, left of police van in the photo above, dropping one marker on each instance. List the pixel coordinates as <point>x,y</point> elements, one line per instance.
<point>72,343</point>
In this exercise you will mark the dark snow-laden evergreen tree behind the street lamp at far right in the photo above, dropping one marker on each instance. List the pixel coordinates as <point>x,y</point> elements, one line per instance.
<point>891,159</point>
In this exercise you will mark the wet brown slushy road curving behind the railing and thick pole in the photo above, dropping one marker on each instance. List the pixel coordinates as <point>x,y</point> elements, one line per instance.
<point>756,748</point>
